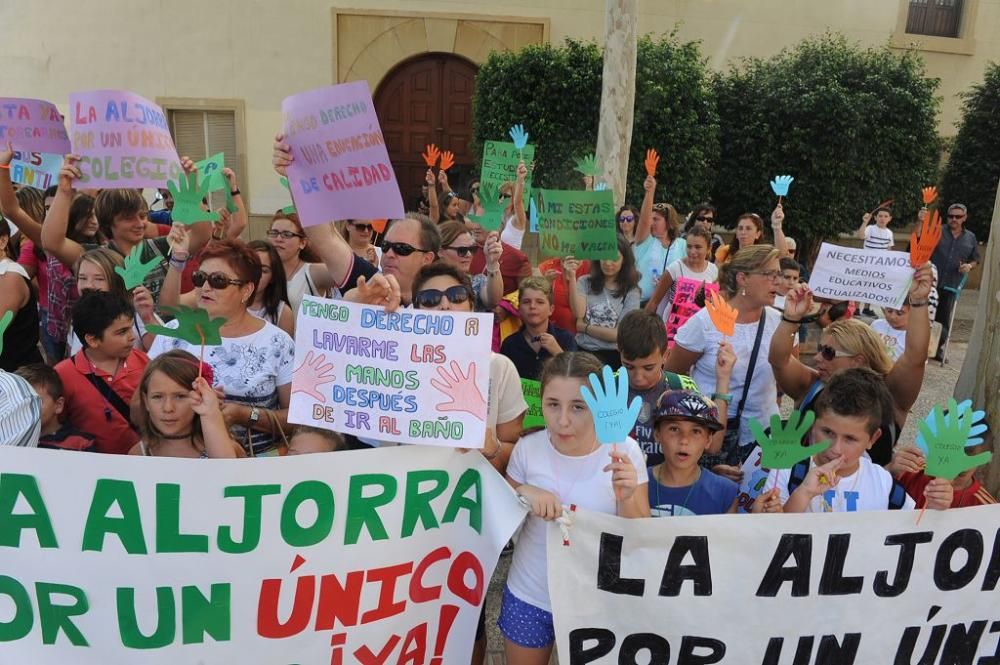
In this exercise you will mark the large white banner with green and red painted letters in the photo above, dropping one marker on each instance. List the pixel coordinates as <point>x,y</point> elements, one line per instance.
<point>375,556</point>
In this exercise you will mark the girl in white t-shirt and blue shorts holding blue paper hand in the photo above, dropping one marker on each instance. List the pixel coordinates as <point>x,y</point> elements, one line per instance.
<point>551,469</point>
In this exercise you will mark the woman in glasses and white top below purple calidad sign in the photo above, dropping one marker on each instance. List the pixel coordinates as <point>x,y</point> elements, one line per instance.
<point>304,271</point>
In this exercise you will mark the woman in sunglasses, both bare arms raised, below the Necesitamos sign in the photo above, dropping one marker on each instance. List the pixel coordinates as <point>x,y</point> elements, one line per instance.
<point>850,343</point>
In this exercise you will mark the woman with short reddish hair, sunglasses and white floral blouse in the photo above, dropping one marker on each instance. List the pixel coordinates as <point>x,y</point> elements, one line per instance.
<point>253,365</point>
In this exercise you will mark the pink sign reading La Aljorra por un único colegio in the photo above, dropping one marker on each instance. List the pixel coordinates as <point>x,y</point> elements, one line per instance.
<point>123,140</point>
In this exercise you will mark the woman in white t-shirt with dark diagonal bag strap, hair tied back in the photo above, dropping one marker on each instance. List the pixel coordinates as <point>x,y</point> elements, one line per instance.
<point>748,282</point>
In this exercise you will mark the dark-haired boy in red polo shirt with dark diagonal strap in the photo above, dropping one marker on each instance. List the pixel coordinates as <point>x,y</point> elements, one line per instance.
<point>99,380</point>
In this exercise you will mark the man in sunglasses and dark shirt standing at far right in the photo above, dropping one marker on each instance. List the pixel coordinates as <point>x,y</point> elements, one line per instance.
<point>956,254</point>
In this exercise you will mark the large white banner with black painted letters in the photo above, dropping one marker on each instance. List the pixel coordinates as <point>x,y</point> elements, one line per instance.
<point>868,588</point>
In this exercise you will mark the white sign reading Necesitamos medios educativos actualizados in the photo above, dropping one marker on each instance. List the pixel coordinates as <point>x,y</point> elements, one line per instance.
<point>873,276</point>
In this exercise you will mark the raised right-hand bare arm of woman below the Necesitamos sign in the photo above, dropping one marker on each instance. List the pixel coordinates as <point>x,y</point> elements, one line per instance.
<point>907,374</point>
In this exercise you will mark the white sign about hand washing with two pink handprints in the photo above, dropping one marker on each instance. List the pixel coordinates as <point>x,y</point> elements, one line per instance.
<point>410,376</point>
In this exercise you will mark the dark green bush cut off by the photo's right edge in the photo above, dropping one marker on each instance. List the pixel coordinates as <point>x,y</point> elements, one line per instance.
<point>973,169</point>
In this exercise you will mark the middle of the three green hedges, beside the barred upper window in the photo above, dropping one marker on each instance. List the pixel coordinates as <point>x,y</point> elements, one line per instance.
<point>853,126</point>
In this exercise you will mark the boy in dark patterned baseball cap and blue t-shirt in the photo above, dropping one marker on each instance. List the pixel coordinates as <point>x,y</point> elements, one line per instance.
<point>684,423</point>
